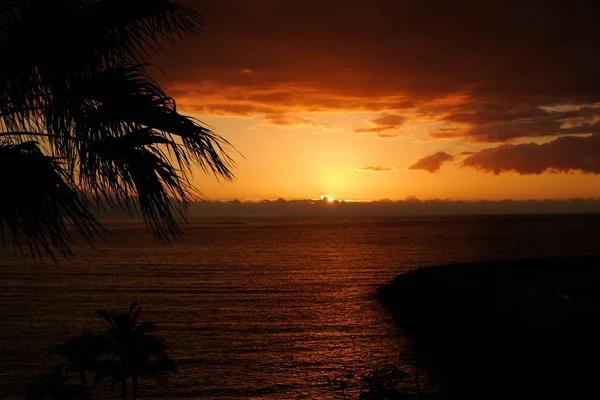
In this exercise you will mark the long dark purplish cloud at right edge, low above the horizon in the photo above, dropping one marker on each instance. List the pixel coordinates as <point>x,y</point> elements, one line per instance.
<point>561,155</point>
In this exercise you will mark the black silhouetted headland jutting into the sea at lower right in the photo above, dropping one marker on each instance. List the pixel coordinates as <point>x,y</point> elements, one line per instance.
<point>505,329</point>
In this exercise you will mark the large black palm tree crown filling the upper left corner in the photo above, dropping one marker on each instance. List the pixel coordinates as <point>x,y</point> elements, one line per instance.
<point>84,126</point>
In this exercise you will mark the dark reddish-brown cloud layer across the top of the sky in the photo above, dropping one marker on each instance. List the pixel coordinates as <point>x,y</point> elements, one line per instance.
<point>419,49</point>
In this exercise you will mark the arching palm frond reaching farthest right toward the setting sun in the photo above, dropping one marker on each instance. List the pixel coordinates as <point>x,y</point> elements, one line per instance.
<point>127,96</point>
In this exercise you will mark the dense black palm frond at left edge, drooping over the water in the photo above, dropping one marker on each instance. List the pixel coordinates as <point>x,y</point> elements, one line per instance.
<point>39,202</point>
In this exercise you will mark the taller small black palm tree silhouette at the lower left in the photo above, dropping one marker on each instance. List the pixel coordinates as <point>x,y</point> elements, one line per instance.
<point>135,352</point>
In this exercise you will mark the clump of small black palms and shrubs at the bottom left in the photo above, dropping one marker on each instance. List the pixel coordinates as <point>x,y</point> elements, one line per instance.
<point>126,351</point>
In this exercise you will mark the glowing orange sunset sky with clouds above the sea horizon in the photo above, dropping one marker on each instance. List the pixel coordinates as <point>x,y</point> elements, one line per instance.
<point>365,100</point>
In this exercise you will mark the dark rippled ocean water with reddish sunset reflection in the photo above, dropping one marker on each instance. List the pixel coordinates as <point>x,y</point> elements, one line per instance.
<point>256,308</point>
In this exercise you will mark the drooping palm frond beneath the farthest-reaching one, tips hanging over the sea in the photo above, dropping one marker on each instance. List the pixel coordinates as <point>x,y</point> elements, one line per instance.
<point>128,173</point>
